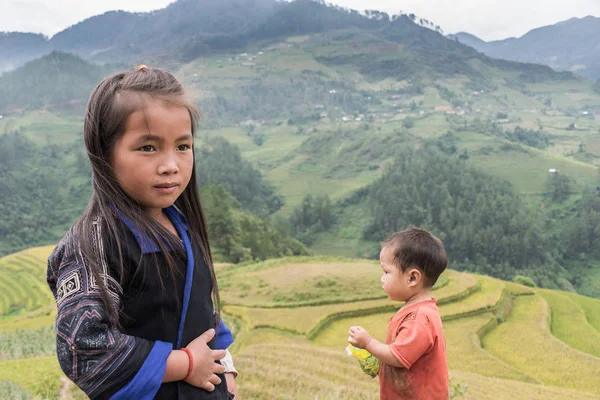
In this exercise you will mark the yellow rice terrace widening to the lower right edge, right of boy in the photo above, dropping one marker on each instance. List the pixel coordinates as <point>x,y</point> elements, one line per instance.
<point>525,342</point>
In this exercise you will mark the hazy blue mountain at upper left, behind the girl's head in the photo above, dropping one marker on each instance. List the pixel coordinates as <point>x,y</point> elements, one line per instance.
<point>121,36</point>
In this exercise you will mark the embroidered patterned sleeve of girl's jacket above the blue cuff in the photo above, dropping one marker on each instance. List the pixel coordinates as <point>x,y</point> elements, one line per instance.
<point>89,350</point>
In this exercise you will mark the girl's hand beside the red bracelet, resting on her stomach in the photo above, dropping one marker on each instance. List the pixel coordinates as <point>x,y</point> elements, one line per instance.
<point>205,370</point>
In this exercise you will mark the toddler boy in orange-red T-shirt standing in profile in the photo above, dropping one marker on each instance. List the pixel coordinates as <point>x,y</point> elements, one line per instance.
<point>413,363</point>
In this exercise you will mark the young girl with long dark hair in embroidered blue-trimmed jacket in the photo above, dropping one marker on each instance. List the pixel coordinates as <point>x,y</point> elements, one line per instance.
<point>133,279</point>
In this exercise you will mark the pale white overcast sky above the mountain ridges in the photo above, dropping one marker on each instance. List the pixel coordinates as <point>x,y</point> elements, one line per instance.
<point>487,19</point>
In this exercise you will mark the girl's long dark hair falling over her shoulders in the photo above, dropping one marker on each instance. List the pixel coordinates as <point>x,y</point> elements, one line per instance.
<point>108,108</point>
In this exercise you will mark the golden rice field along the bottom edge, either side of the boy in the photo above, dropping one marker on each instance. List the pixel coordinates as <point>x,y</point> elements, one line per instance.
<point>274,357</point>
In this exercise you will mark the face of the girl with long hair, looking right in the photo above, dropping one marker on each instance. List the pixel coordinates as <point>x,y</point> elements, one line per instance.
<point>153,159</point>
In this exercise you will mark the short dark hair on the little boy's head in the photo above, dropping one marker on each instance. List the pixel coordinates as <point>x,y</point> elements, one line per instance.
<point>416,247</point>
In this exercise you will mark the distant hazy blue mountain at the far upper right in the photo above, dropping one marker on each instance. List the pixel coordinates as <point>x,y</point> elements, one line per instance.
<point>570,45</point>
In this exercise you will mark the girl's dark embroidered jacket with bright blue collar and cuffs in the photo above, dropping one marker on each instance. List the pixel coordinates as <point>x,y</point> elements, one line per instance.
<point>107,363</point>
